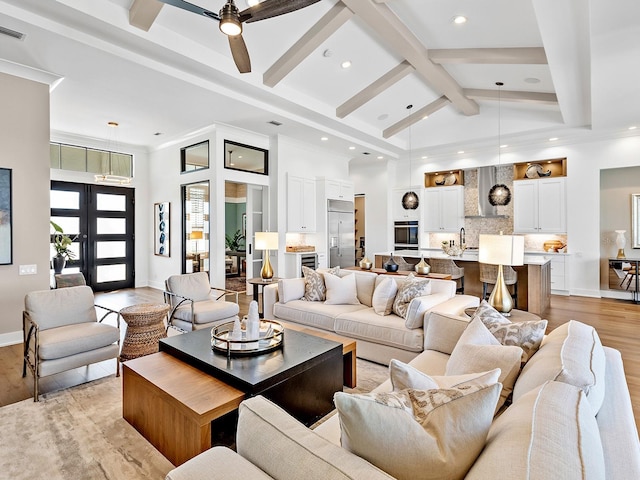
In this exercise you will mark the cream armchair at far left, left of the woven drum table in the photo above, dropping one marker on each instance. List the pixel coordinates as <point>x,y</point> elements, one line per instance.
<point>61,331</point>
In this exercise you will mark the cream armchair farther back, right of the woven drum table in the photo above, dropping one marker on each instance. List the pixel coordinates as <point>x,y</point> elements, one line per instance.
<point>195,304</point>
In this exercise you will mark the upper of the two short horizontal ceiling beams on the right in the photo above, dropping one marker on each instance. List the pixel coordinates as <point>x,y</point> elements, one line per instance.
<point>494,56</point>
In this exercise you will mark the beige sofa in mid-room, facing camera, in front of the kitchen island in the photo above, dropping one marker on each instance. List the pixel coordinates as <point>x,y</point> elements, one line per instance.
<point>379,338</point>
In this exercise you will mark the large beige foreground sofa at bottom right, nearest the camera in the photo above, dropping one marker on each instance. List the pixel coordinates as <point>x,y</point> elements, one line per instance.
<point>553,429</point>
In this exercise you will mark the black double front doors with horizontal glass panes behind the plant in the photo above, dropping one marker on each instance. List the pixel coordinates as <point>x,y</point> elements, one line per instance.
<point>101,218</point>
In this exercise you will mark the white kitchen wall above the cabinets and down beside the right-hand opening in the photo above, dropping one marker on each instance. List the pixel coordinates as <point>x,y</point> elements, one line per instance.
<point>585,159</point>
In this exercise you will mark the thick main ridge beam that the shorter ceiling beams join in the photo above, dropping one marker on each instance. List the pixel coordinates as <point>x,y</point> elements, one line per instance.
<point>397,36</point>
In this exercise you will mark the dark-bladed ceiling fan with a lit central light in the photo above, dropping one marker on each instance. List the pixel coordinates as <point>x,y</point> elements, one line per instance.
<point>231,20</point>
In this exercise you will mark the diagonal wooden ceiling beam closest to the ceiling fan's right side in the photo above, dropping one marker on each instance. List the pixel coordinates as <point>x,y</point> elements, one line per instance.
<point>319,33</point>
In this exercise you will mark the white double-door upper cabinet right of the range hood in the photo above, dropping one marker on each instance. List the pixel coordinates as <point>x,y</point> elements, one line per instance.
<point>539,206</point>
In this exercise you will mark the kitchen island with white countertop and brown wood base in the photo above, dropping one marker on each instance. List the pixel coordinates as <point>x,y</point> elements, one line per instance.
<point>534,277</point>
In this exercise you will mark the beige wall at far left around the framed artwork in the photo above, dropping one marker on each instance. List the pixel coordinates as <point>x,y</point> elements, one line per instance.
<point>24,148</point>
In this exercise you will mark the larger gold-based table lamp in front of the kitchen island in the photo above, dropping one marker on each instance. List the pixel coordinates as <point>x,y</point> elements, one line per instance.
<point>501,250</point>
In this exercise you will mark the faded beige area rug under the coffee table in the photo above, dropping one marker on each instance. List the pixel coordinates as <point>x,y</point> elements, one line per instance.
<point>79,433</point>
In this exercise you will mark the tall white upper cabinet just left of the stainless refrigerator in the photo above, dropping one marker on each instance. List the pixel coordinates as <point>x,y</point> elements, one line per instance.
<point>301,204</point>
